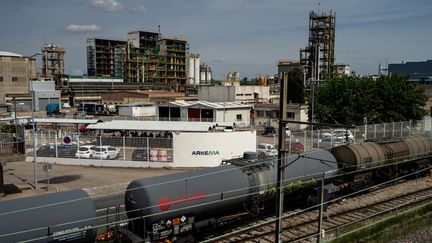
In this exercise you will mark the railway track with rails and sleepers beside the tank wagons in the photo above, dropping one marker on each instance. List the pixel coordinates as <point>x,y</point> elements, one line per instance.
<point>302,226</point>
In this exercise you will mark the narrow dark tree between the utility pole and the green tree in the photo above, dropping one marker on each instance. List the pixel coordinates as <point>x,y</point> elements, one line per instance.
<point>296,92</point>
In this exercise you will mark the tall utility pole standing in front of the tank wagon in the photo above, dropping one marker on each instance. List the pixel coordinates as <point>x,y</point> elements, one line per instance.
<point>281,156</point>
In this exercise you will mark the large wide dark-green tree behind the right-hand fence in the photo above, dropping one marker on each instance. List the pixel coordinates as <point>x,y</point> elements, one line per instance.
<point>347,99</point>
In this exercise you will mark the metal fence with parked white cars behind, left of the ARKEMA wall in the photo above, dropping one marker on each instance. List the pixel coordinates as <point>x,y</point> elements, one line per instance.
<point>66,145</point>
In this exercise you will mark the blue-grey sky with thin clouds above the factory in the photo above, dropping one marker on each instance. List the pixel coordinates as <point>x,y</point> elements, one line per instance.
<point>247,36</point>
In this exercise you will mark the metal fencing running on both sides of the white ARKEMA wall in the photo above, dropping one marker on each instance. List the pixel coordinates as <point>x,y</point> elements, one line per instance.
<point>65,144</point>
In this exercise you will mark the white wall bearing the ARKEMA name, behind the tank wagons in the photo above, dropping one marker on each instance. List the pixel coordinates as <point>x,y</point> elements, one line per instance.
<point>208,149</point>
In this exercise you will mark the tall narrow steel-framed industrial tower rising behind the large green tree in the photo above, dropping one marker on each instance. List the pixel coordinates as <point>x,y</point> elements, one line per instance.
<point>318,56</point>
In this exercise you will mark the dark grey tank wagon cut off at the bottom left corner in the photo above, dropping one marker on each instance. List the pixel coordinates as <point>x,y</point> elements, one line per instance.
<point>56,217</point>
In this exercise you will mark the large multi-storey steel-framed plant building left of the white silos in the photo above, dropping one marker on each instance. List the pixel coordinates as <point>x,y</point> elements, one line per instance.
<point>146,58</point>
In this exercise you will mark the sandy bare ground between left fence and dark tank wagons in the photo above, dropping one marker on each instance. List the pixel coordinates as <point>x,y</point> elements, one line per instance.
<point>19,177</point>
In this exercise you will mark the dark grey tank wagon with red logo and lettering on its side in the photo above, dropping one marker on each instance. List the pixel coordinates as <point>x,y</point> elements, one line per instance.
<point>174,204</point>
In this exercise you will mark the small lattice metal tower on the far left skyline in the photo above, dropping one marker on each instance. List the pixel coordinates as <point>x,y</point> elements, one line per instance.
<point>53,63</point>
